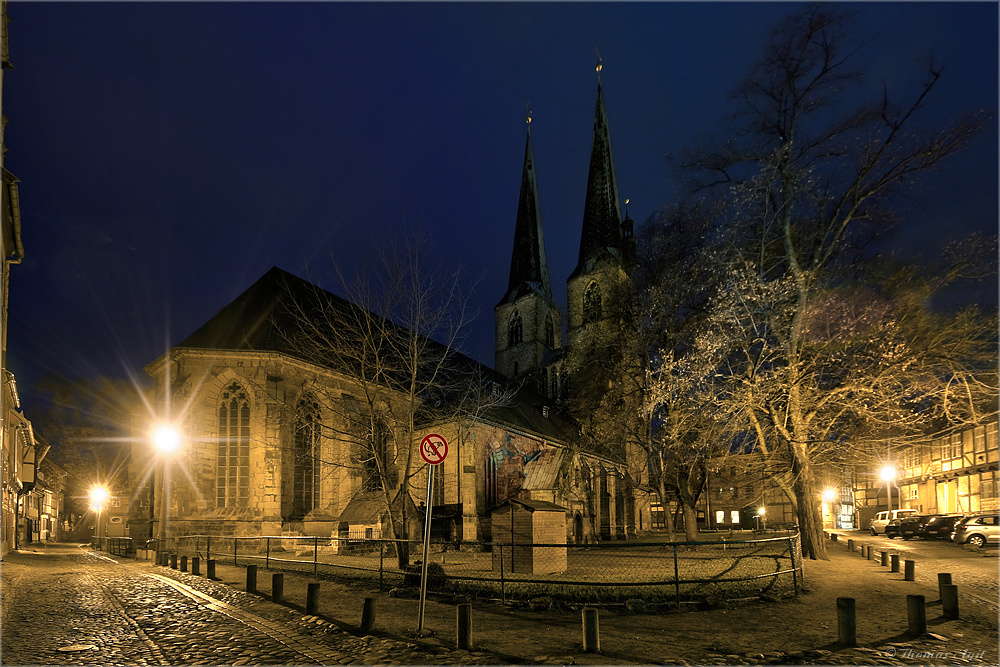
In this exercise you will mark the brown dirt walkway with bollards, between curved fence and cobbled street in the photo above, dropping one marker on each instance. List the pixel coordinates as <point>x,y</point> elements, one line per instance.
<point>748,633</point>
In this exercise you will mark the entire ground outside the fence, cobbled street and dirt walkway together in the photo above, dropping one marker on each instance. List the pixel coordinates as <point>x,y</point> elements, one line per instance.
<point>133,612</point>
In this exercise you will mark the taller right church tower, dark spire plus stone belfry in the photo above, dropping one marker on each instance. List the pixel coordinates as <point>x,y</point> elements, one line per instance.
<point>607,248</point>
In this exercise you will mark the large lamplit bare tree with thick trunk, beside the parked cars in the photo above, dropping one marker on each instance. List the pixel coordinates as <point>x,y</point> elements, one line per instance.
<point>809,185</point>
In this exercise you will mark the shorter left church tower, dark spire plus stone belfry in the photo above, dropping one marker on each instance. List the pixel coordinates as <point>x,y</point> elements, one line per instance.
<point>528,323</point>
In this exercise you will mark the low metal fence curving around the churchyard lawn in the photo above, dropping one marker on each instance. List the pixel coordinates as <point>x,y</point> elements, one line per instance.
<point>605,573</point>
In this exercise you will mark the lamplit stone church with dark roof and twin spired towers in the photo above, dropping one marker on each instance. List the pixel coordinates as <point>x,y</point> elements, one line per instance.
<point>267,450</point>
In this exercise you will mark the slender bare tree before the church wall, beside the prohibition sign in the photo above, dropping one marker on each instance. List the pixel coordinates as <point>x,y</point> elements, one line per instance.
<point>396,339</point>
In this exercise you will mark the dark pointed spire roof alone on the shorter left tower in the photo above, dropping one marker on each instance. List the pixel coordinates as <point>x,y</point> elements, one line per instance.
<point>529,271</point>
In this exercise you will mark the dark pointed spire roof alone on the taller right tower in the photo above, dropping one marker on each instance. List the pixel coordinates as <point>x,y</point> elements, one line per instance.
<point>602,223</point>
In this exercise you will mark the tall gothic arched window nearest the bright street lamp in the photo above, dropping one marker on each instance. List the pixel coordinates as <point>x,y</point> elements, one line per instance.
<point>232,472</point>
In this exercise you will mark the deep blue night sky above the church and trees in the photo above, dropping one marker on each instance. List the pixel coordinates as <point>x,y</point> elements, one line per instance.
<point>169,154</point>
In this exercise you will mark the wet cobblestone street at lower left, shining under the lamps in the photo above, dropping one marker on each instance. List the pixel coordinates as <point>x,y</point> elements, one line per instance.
<point>76,608</point>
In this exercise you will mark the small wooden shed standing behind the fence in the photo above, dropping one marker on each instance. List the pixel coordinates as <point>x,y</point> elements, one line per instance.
<point>519,527</point>
